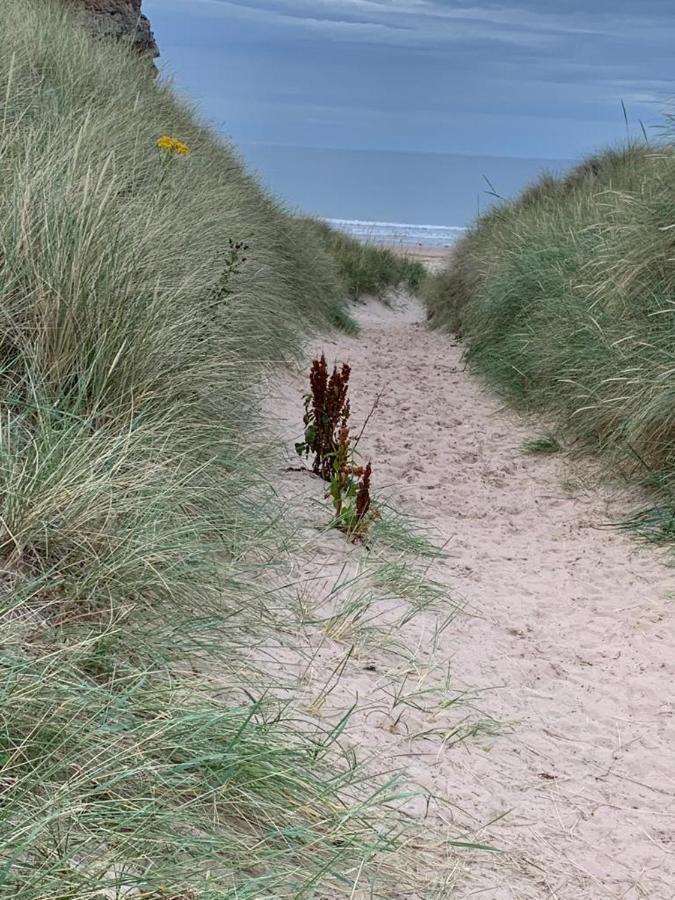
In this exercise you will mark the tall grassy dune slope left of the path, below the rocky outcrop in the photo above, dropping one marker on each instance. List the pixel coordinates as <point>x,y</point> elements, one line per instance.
<point>128,492</point>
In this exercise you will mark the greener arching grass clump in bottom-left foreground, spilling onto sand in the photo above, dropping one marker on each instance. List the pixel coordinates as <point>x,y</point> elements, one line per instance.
<point>135,781</point>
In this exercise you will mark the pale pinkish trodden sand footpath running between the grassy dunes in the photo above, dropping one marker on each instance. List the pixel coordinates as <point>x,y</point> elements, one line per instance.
<point>565,635</point>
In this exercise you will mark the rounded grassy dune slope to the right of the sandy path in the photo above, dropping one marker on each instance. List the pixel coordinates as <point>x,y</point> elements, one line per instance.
<point>566,299</point>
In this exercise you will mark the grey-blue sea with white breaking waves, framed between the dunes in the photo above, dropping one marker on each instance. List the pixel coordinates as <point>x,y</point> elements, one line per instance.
<point>426,199</point>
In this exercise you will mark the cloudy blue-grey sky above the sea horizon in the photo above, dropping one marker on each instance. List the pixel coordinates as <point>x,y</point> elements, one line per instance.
<point>531,79</point>
